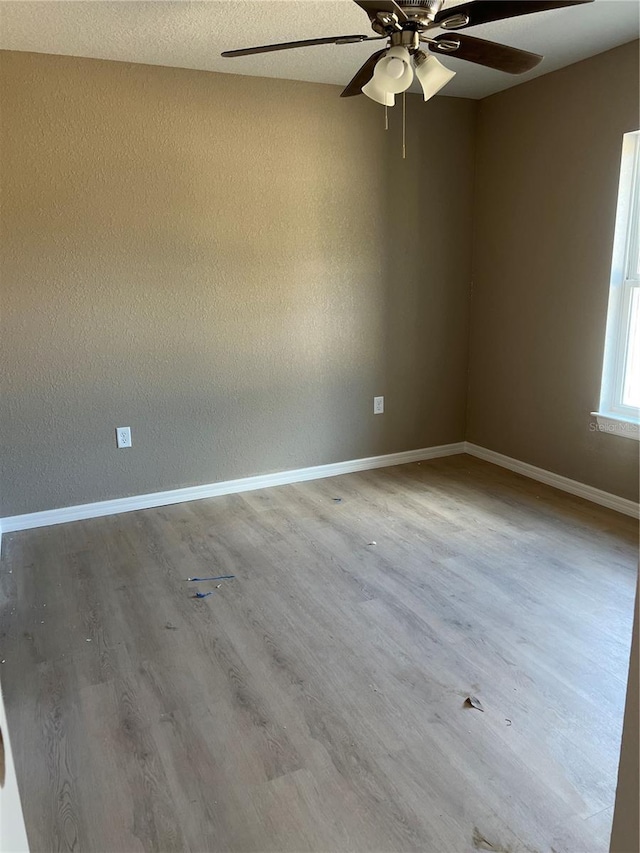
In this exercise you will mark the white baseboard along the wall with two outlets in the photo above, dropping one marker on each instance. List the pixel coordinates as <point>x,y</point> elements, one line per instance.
<point>227,487</point>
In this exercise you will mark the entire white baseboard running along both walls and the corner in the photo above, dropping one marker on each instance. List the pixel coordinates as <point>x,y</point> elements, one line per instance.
<point>317,472</point>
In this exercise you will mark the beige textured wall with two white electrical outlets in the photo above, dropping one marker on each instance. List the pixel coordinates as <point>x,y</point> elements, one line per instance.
<point>232,266</point>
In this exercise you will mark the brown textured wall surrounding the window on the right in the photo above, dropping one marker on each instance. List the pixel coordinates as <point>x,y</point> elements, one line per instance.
<point>548,159</point>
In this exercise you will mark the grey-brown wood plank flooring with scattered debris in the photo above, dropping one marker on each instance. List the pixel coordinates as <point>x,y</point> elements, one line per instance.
<point>316,701</point>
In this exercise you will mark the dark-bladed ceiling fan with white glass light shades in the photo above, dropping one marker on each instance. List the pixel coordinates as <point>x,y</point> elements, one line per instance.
<point>407,24</point>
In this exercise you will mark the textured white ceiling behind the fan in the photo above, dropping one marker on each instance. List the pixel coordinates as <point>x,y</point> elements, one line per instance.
<point>192,34</point>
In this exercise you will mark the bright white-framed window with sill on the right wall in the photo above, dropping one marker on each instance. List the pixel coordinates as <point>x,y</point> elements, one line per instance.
<point>619,410</point>
